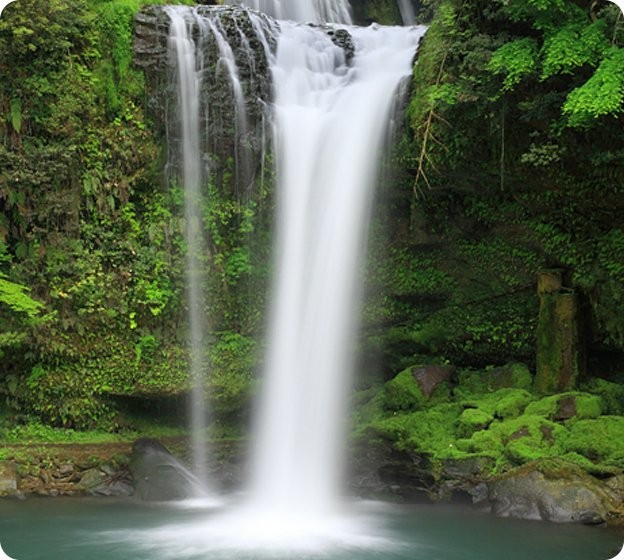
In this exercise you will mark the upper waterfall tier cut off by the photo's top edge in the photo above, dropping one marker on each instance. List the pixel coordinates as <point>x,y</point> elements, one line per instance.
<point>312,11</point>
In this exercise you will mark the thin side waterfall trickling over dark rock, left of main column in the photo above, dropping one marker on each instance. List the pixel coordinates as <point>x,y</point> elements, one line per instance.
<point>212,118</point>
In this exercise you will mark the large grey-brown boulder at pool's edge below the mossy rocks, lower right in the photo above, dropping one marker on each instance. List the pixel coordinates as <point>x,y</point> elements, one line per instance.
<point>552,491</point>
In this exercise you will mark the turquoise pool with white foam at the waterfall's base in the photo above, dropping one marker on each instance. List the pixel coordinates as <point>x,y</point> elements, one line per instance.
<point>108,529</point>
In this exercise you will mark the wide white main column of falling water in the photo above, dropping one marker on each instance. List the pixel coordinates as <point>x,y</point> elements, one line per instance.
<point>330,123</point>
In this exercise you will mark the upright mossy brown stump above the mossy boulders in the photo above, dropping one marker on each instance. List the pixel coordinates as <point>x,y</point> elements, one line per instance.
<point>558,353</point>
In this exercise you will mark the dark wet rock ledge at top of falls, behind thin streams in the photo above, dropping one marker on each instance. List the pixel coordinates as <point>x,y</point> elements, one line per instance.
<point>250,37</point>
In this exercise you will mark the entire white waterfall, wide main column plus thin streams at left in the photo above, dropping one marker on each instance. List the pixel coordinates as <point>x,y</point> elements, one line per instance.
<point>329,110</point>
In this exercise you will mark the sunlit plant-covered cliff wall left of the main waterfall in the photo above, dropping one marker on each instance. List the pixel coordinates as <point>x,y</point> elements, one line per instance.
<point>91,249</point>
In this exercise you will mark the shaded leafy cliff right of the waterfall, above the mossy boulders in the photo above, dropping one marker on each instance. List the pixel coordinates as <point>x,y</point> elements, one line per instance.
<point>510,162</point>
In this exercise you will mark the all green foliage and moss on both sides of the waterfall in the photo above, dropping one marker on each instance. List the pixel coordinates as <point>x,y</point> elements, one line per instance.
<point>510,161</point>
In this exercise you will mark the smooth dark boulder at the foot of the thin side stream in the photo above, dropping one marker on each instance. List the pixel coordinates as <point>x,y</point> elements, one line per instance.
<point>158,475</point>
